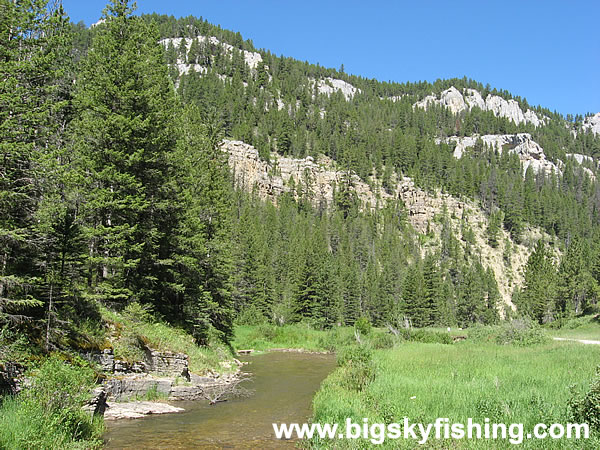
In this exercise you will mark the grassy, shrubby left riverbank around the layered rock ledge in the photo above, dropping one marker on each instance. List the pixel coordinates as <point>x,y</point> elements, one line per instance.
<point>49,413</point>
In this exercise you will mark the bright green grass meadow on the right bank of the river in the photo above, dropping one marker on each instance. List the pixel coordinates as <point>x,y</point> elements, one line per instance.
<point>478,380</point>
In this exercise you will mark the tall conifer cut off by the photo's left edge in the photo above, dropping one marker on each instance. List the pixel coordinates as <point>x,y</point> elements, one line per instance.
<point>33,49</point>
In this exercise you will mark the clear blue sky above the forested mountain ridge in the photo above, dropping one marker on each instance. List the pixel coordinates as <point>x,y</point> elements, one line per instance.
<point>546,51</point>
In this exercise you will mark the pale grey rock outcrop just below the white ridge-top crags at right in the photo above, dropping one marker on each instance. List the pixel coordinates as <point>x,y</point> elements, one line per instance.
<point>530,153</point>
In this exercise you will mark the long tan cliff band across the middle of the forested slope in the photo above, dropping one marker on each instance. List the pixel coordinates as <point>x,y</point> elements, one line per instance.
<point>319,180</point>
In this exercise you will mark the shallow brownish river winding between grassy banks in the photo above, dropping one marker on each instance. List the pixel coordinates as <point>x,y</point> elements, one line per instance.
<point>282,386</point>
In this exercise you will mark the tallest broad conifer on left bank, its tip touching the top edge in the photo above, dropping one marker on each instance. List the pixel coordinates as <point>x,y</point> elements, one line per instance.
<point>124,133</point>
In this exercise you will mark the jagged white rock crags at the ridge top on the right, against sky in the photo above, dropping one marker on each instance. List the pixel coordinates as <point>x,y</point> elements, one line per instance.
<point>458,102</point>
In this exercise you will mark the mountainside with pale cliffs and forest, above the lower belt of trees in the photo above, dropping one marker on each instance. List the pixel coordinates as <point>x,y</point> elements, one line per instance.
<point>422,146</point>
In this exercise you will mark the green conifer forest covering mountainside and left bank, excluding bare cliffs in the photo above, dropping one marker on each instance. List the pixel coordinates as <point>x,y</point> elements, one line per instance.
<point>114,188</point>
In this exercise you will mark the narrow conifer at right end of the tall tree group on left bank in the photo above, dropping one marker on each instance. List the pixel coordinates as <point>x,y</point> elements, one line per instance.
<point>203,264</point>
